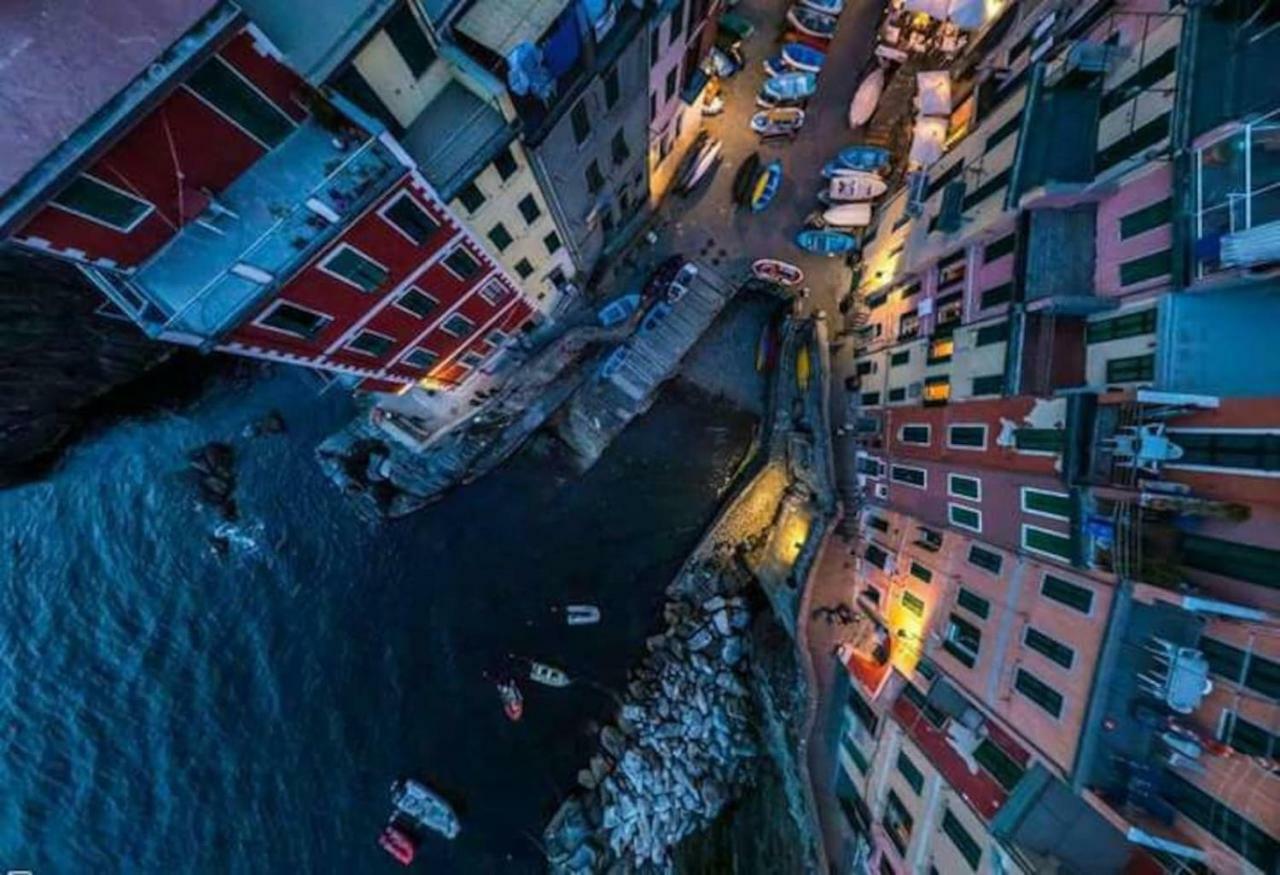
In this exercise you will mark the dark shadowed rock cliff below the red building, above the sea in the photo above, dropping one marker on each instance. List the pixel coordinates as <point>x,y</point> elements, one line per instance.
<point>63,365</point>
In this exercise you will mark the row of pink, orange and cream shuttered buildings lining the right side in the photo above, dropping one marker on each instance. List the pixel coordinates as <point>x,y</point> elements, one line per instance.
<point>1063,438</point>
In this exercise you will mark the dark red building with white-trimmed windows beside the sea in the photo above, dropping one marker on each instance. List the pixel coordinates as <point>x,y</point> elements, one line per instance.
<point>220,201</point>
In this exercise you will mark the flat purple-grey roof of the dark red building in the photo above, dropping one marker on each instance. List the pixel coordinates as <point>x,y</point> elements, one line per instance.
<point>63,62</point>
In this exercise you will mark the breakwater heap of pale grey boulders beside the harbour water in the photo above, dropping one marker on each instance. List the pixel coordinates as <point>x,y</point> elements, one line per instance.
<point>684,744</point>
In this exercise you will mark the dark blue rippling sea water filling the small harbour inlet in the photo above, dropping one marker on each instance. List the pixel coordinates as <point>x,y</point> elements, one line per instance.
<point>170,712</point>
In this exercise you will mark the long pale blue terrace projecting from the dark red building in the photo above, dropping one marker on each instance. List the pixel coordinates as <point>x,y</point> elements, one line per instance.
<point>257,233</point>
